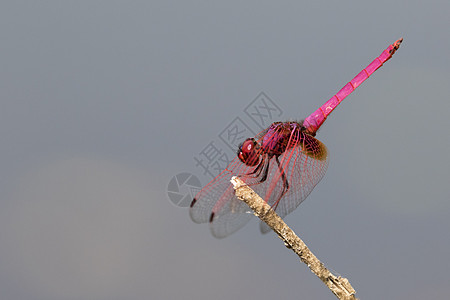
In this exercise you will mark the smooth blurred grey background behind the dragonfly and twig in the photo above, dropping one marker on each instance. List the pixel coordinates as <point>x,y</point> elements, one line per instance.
<point>102,102</point>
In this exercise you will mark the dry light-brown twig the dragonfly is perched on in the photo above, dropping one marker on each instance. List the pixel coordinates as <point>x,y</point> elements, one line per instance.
<point>338,285</point>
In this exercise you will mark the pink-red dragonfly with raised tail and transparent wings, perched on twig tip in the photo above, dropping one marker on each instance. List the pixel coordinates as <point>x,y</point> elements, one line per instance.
<point>282,164</point>
